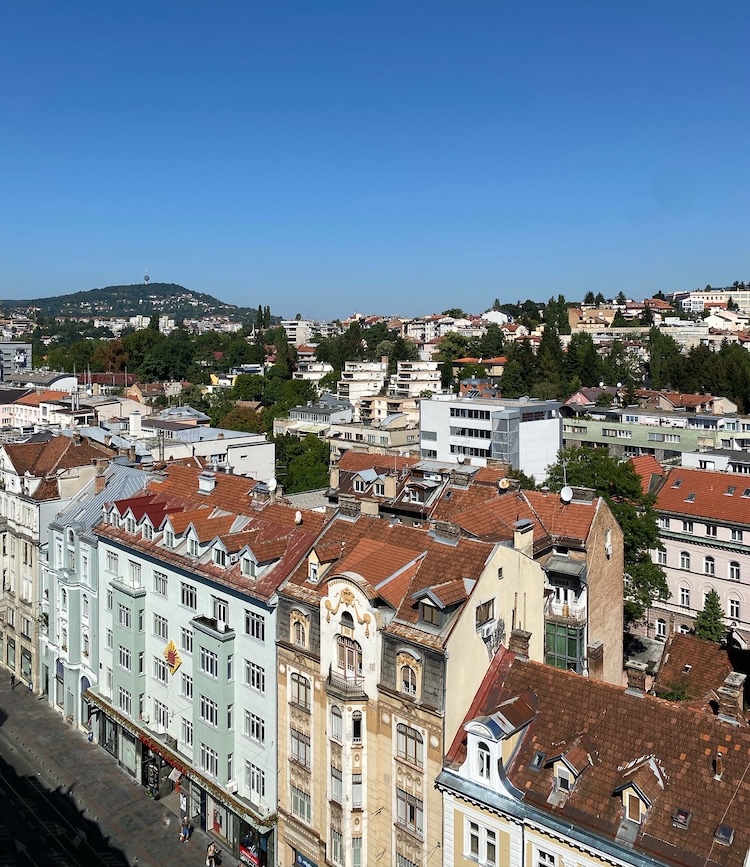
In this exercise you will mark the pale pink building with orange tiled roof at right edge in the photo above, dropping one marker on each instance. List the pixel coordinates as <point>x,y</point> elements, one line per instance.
<point>704,526</point>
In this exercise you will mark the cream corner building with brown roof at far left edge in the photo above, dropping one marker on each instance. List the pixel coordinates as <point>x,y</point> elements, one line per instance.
<point>37,479</point>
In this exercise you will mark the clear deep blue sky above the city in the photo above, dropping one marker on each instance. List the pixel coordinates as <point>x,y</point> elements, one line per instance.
<point>393,157</point>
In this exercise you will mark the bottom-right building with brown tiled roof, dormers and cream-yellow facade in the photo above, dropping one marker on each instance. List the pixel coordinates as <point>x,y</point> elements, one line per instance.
<point>550,769</point>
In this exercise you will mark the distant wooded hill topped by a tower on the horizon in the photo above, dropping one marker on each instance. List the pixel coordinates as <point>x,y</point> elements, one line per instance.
<point>123,301</point>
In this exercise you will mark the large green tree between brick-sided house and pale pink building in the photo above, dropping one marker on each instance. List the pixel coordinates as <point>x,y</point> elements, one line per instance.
<point>617,482</point>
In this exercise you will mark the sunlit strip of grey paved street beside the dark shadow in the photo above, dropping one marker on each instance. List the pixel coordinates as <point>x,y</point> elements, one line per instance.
<point>146,831</point>
